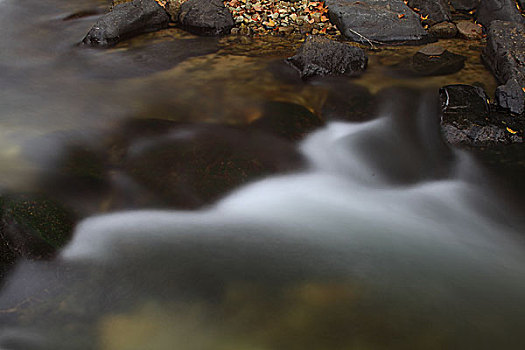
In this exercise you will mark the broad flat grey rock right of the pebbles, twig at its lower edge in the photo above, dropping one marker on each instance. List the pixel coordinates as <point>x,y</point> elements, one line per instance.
<point>376,21</point>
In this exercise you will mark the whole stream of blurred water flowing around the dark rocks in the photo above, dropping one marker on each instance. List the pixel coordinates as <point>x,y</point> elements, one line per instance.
<point>383,238</point>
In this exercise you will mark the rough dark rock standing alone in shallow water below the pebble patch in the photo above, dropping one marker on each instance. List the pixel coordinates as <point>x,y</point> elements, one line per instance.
<point>320,56</point>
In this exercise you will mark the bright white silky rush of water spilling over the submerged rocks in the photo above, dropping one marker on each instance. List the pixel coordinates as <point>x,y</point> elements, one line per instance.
<point>336,204</point>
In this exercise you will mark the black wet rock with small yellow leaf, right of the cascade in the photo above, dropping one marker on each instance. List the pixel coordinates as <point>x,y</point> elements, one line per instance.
<point>467,118</point>
